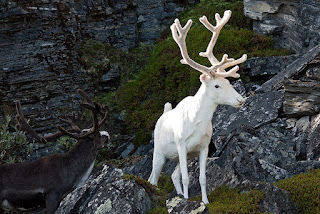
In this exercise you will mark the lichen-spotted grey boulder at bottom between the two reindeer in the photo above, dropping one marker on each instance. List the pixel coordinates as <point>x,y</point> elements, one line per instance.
<point>106,192</point>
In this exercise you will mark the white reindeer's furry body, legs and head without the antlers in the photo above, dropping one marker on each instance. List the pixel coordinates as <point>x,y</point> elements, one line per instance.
<point>185,132</point>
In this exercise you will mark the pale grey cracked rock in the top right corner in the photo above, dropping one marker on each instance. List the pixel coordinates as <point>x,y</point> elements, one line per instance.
<point>294,24</point>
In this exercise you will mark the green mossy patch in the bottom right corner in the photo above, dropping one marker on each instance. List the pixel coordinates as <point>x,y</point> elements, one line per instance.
<point>304,190</point>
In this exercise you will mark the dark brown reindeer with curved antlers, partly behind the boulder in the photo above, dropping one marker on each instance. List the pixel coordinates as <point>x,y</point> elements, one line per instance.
<point>28,185</point>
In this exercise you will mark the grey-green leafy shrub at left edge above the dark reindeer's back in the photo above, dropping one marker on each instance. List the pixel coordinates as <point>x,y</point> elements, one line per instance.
<point>13,145</point>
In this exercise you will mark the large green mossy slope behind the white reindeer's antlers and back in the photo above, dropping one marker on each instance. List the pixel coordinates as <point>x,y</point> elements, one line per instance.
<point>165,79</point>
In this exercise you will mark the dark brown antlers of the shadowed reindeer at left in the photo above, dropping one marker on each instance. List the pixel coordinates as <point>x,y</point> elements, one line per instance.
<point>75,120</point>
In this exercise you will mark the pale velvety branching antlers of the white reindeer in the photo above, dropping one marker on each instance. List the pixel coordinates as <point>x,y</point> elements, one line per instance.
<point>217,68</point>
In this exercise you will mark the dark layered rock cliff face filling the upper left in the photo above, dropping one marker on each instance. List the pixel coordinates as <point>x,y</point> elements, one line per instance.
<point>39,43</point>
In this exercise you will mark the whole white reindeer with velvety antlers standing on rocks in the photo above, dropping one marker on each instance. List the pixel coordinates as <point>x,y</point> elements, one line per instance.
<point>184,132</point>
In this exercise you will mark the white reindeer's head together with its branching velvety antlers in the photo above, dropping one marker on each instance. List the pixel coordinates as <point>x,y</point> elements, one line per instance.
<point>213,77</point>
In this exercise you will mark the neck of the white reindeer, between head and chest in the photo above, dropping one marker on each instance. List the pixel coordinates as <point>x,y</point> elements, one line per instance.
<point>204,106</point>
